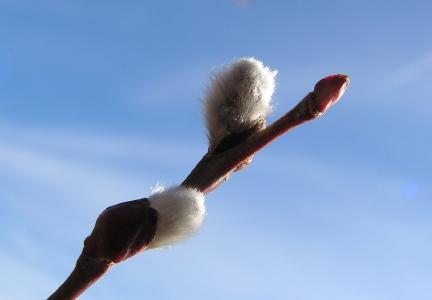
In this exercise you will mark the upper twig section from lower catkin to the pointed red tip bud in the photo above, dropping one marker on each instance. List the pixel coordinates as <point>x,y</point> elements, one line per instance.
<point>213,169</point>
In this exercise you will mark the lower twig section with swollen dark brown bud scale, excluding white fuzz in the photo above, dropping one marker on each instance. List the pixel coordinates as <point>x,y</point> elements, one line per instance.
<point>120,232</point>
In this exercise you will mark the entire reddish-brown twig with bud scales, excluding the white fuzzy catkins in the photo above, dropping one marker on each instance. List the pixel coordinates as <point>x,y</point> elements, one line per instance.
<point>126,229</point>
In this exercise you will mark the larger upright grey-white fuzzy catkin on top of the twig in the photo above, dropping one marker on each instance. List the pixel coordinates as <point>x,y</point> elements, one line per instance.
<point>238,95</point>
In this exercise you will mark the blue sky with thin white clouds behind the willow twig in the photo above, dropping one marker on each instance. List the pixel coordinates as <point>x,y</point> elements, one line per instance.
<point>99,102</point>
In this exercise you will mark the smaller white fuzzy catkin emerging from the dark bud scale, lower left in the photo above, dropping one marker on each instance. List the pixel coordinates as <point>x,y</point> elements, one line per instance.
<point>181,212</point>
